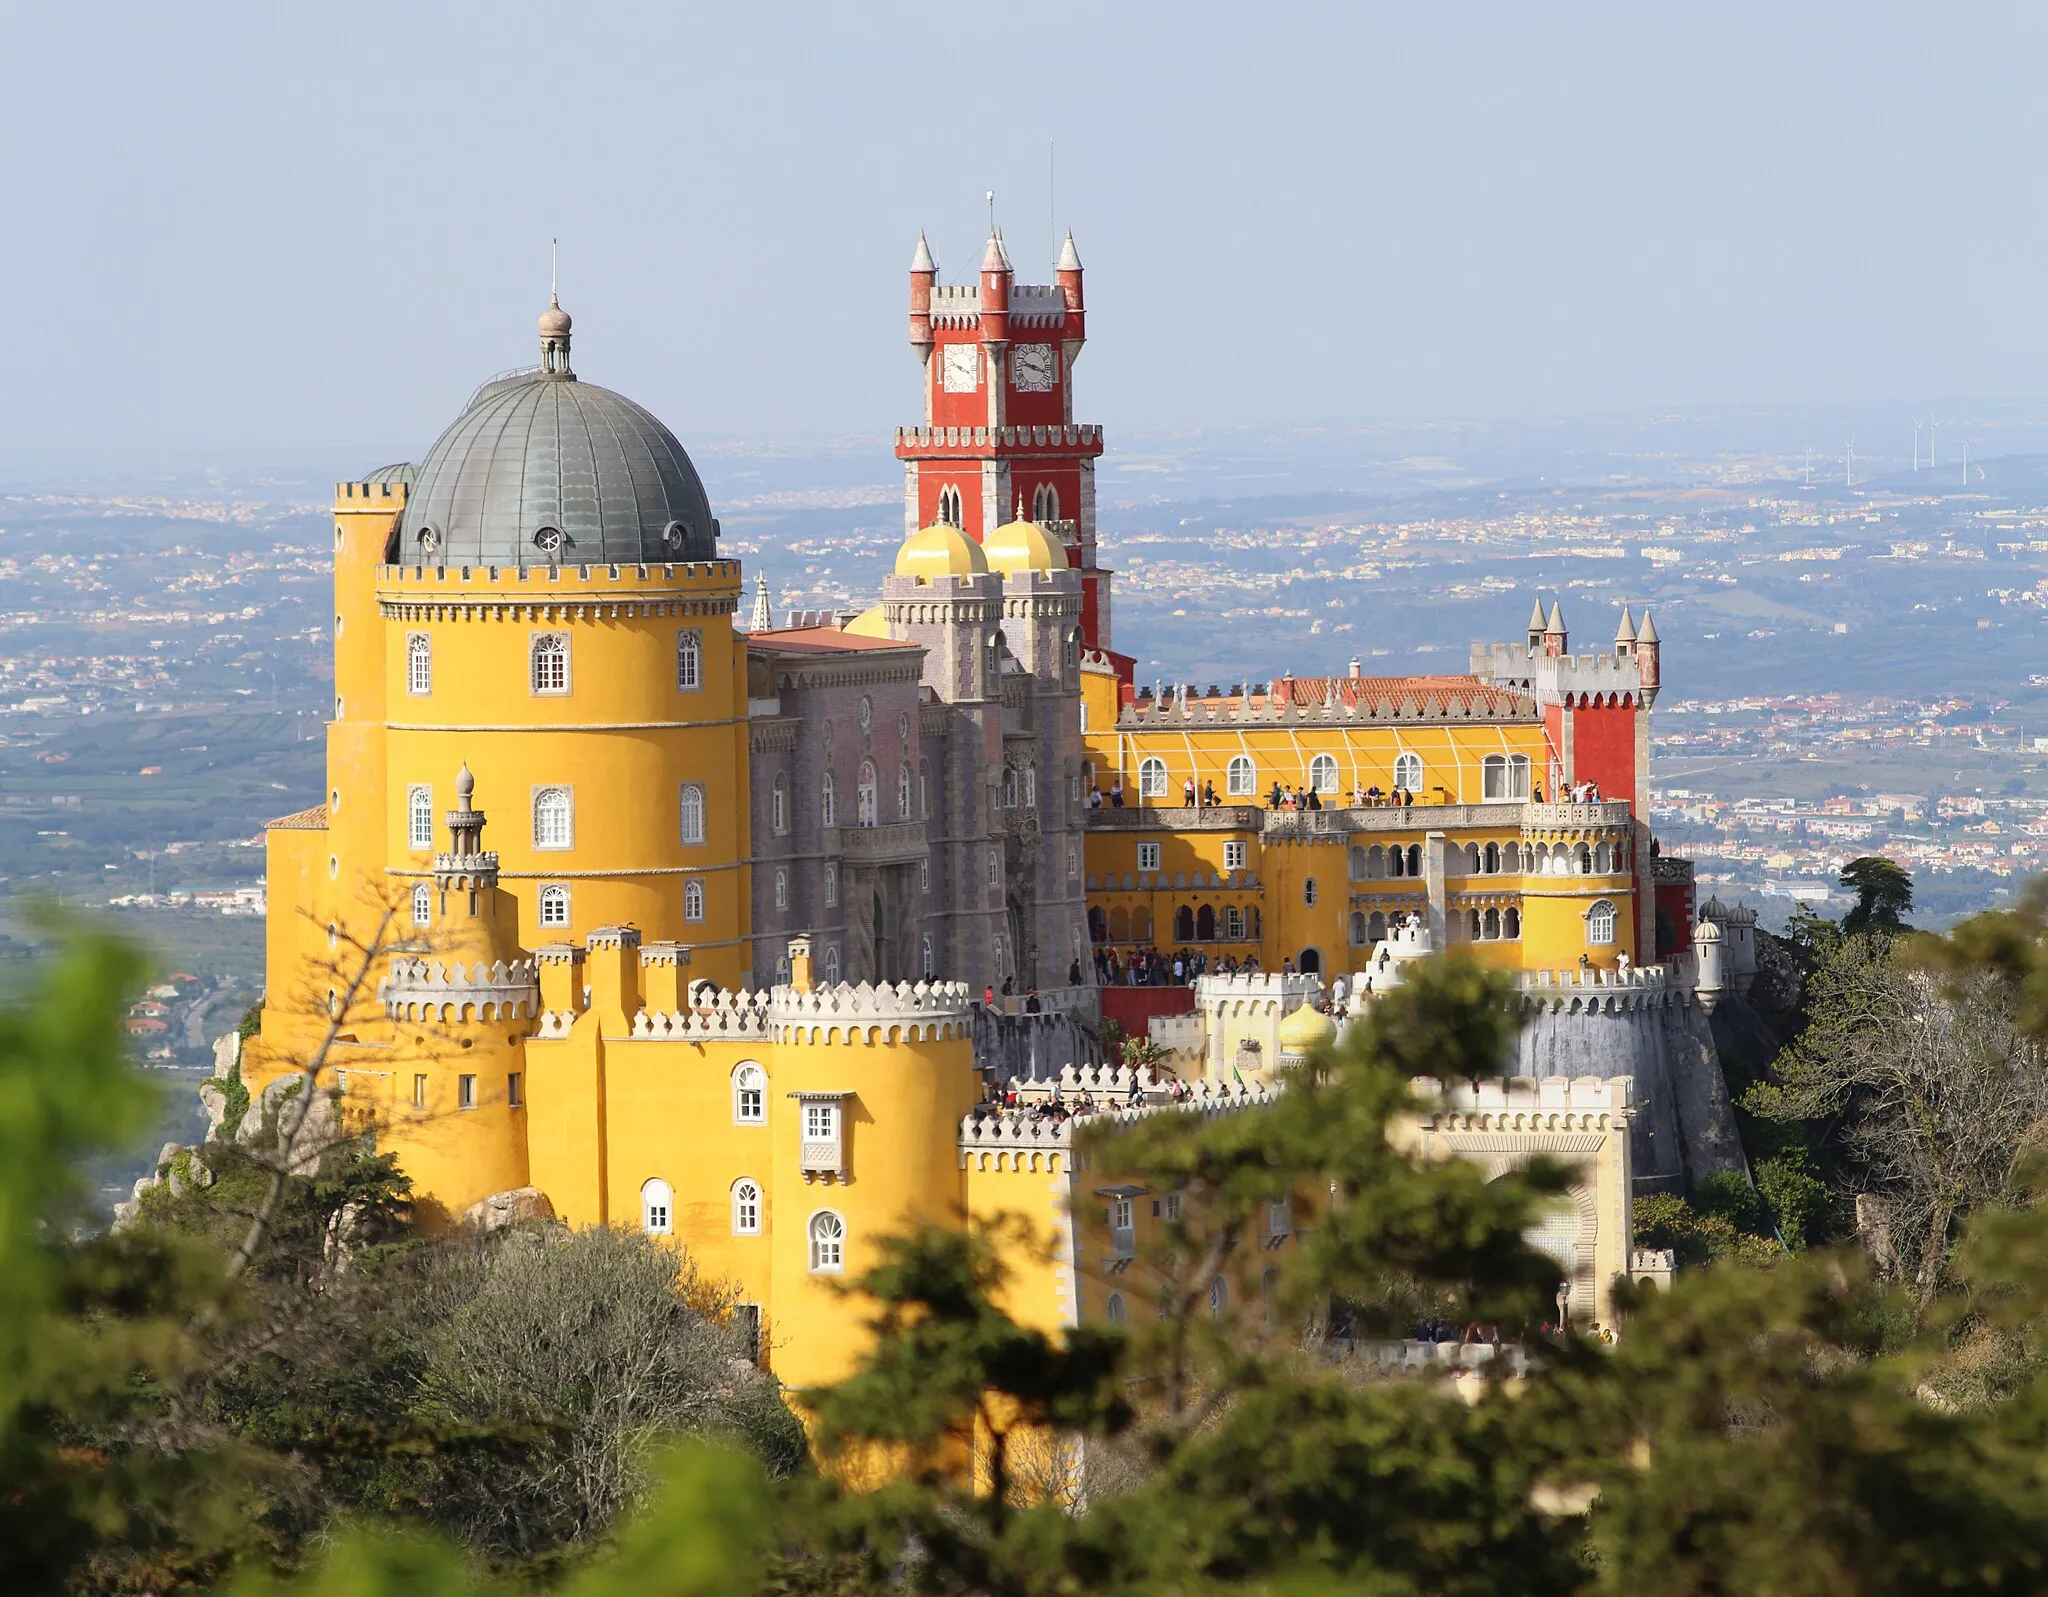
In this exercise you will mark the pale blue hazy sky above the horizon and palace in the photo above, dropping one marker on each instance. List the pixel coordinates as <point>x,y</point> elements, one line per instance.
<point>243,228</point>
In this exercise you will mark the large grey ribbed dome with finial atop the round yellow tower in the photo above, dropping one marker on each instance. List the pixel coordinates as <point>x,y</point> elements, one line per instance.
<point>544,470</point>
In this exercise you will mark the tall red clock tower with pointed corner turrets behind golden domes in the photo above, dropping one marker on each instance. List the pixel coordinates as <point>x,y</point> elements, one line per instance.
<point>998,439</point>
